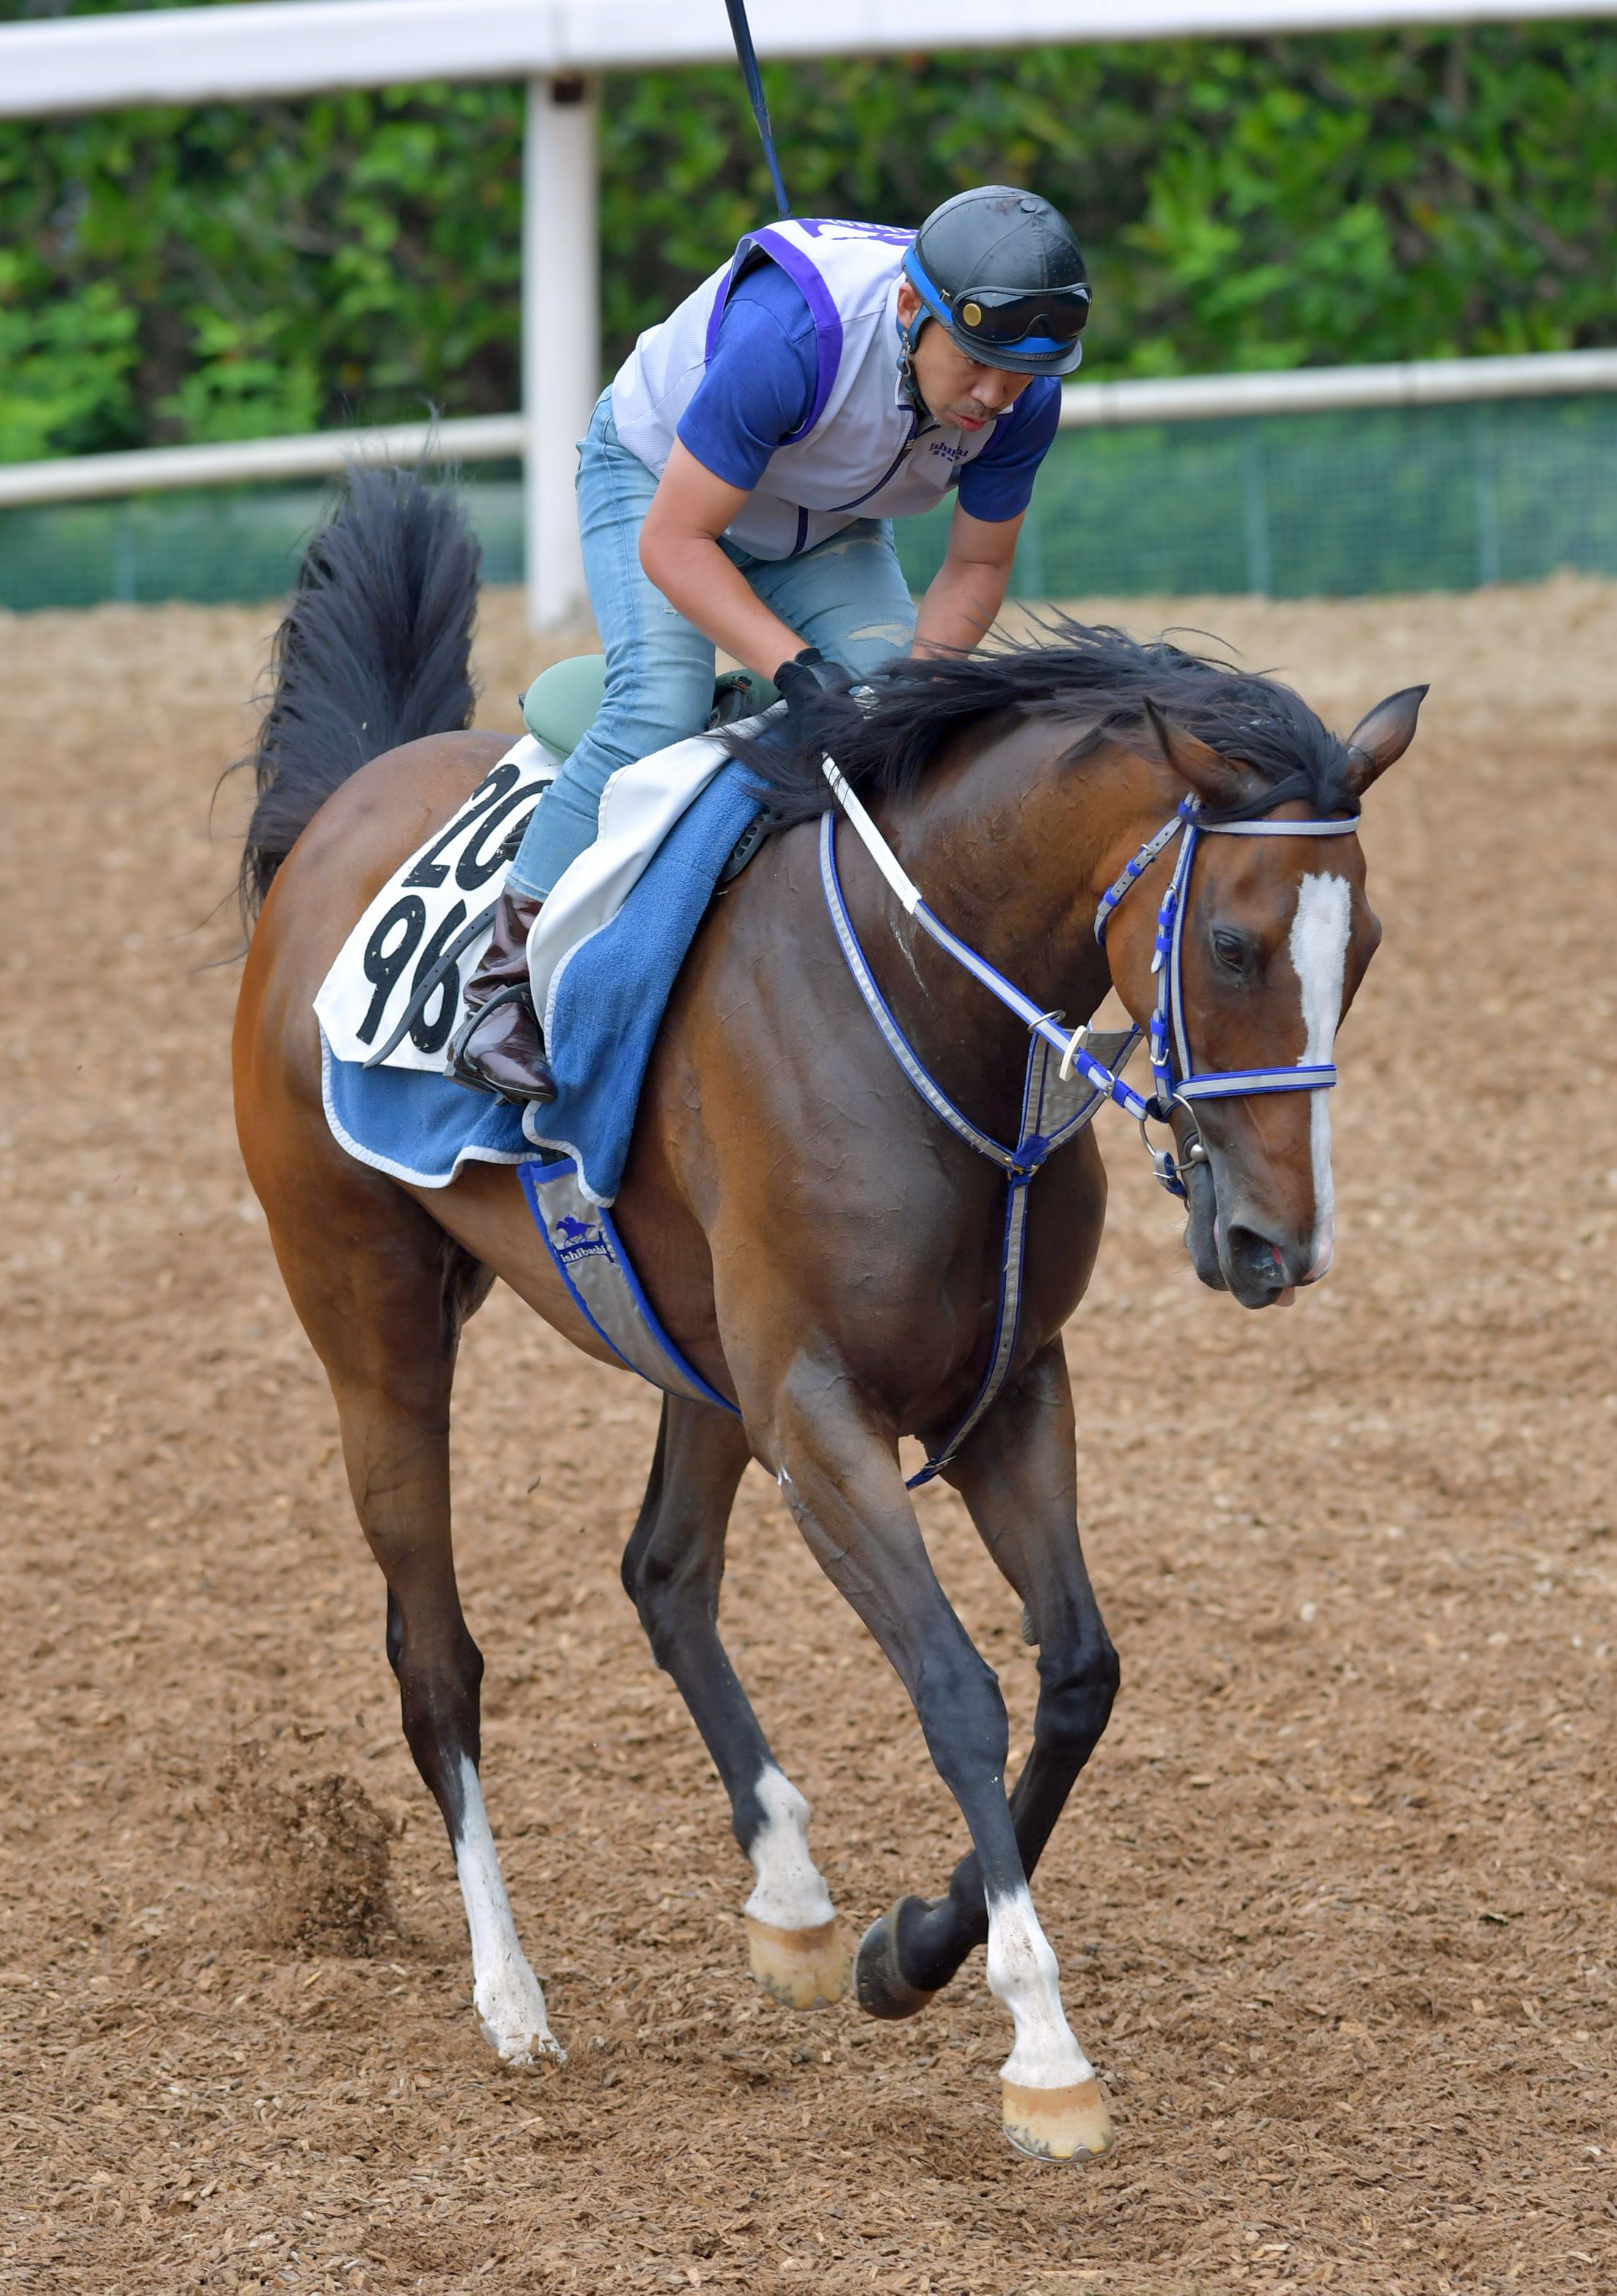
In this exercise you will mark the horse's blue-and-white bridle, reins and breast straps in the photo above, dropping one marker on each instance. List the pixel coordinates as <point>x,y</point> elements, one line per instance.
<point>1049,1117</point>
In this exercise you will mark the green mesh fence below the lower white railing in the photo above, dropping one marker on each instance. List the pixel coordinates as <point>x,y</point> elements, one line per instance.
<point>1290,506</point>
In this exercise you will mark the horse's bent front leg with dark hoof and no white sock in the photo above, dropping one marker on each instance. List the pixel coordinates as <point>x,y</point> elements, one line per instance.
<point>1019,1482</point>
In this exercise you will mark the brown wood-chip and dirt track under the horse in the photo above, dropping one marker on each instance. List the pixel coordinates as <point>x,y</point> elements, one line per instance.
<point>1336,1900</point>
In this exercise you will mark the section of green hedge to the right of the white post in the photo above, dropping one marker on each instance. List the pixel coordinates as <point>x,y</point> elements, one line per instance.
<point>1241,203</point>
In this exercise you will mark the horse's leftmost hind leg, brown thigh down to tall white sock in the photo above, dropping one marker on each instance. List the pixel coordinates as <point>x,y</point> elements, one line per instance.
<point>382,1294</point>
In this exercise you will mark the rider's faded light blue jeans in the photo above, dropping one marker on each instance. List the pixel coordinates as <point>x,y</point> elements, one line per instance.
<point>846,596</point>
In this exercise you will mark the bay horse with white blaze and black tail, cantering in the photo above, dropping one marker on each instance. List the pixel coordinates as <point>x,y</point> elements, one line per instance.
<point>821,1246</point>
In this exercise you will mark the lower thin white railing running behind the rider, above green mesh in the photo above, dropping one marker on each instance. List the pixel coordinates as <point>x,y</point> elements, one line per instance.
<point>1196,398</point>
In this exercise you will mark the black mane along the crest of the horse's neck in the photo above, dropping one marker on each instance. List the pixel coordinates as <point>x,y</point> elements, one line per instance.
<point>1071,672</point>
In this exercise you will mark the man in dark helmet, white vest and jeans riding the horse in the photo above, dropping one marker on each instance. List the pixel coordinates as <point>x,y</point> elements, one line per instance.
<point>738,486</point>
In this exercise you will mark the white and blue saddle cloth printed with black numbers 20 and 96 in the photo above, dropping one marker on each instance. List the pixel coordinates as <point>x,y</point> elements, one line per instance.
<point>603,956</point>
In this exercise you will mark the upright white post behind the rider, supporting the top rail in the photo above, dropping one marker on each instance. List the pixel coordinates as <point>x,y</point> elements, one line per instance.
<point>562,332</point>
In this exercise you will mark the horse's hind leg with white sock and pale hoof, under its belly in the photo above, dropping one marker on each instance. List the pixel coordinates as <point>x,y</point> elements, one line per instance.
<point>672,1572</point>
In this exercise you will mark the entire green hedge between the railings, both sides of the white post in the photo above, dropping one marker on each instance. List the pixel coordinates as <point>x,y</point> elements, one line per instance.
<point>238,272</point>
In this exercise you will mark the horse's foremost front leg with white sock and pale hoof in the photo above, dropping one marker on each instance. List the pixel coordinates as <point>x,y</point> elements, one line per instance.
<point>840,1473</point>
